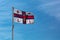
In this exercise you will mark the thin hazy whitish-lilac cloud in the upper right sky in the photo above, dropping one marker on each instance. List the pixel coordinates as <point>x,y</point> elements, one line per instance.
<point>51,8</point>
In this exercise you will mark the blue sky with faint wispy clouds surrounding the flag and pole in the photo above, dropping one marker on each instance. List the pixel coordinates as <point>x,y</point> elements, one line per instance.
<point>47,20</point>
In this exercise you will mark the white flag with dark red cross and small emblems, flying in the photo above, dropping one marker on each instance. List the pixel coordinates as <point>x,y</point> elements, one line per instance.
<point>23,17</point>
